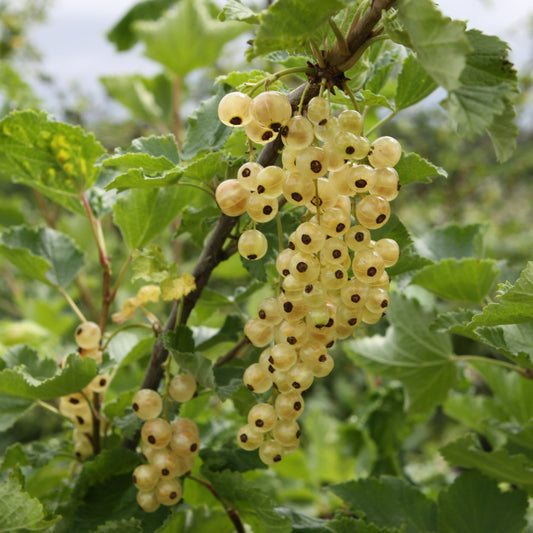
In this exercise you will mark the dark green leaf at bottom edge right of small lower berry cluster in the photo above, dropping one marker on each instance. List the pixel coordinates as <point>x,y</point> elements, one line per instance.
<point>255,505</point>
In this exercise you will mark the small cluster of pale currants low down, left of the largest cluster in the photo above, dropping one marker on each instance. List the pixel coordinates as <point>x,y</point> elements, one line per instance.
<point>169,447</point>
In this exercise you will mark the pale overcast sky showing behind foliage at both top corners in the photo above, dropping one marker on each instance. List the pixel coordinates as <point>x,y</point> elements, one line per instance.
<point>75,50</point>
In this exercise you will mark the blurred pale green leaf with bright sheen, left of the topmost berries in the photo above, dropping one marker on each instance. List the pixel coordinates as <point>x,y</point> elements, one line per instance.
<point>147,98</point>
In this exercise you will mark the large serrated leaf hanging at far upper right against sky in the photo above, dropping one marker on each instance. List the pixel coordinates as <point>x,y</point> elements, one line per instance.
<point>488,83</point>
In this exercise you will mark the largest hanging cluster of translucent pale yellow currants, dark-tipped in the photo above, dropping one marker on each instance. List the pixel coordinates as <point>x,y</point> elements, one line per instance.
<point>333,273</point>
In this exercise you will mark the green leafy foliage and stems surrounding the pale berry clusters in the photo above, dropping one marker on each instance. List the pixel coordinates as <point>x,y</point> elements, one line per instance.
<point>445,375</point>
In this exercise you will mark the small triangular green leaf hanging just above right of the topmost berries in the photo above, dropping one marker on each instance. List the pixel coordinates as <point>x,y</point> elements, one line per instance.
<point>414,83</point>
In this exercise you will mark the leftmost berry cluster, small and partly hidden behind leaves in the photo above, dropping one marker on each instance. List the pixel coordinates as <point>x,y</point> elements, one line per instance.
<point>79,406</point>
